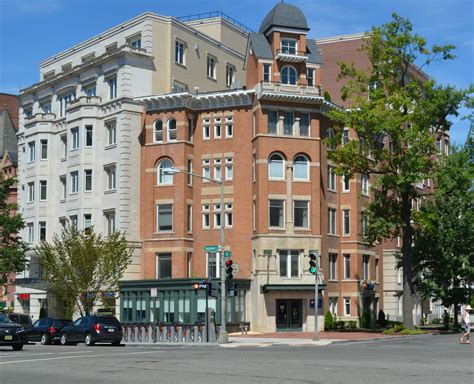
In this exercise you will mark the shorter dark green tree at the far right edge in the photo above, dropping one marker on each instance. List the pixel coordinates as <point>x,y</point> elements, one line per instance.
<point>444,244</point>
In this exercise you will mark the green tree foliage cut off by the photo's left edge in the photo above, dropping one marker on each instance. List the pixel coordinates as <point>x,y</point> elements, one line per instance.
<point>12,247</point>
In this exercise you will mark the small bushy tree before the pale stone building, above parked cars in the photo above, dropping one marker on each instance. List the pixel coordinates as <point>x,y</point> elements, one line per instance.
<point>80,265</point>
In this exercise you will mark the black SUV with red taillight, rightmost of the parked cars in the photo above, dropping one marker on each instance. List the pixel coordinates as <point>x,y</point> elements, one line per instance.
<point>92,329</point>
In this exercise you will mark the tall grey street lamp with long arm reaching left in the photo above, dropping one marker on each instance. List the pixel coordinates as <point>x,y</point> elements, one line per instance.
<point>223,336</point>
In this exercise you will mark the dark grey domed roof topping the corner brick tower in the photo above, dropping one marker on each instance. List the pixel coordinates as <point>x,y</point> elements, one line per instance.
<point>286,16</point>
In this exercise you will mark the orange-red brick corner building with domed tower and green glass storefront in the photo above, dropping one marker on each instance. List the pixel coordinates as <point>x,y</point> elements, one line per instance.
<point>282,200</point>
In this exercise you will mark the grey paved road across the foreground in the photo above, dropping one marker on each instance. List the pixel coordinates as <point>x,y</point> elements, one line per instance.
<point>421,359</point>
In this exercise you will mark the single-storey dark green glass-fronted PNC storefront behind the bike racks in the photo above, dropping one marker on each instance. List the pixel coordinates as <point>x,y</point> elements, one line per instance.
<point>175,300</point>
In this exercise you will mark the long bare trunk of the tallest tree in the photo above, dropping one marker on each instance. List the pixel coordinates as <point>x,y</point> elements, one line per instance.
<point>407,237</point>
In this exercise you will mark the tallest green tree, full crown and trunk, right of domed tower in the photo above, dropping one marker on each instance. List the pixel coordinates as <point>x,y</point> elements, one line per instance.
<point>397,113</point>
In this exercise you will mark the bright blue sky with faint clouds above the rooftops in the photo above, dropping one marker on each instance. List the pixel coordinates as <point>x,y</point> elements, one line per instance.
<point>32,30</point>
